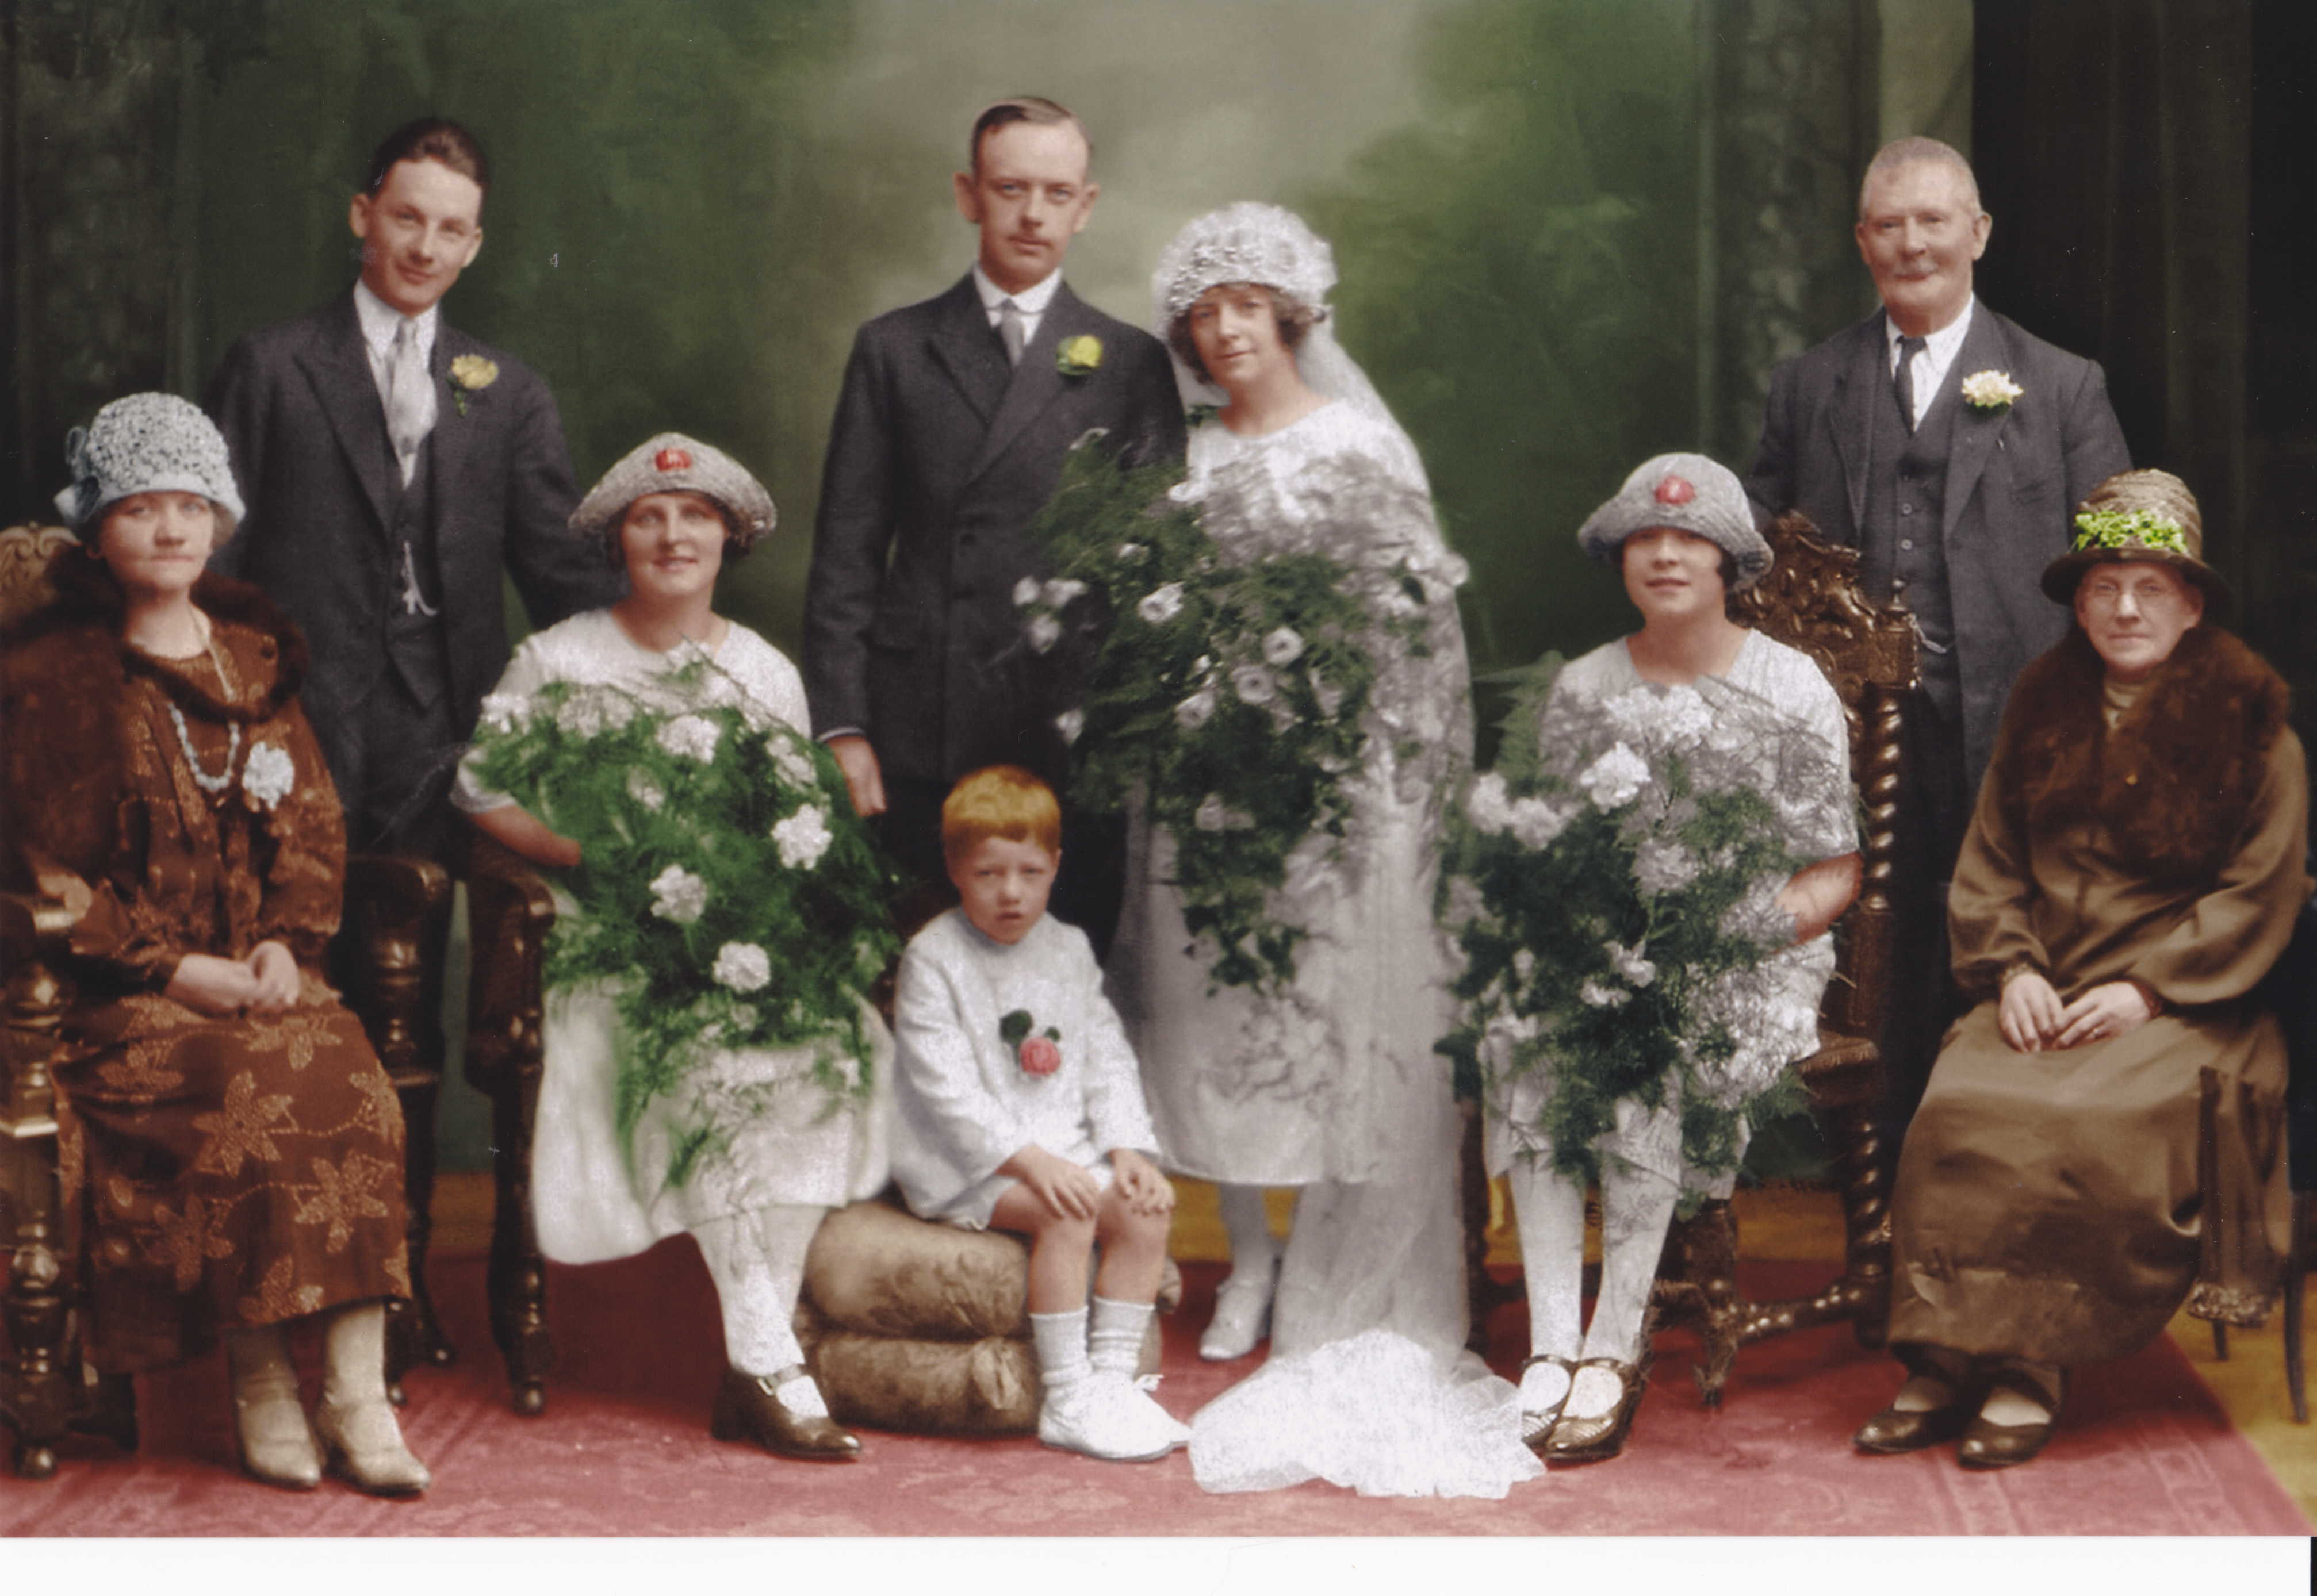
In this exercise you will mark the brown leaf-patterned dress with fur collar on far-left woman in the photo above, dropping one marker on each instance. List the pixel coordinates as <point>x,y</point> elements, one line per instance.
<point>228,1171</point>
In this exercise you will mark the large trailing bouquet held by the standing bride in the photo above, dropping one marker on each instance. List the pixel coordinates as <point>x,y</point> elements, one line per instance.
<point>1229,687</point>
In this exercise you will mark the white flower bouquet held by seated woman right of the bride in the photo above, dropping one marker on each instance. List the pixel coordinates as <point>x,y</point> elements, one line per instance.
<point>1614,891</point>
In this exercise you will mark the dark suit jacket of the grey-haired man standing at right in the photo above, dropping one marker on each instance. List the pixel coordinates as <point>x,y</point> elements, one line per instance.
<point>2012,485</point>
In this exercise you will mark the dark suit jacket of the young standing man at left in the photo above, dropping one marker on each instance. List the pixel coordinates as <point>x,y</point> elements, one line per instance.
<point>309,439</point>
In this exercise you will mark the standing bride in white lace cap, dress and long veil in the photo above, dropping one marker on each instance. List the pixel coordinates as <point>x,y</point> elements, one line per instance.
<point>1331,1085</point>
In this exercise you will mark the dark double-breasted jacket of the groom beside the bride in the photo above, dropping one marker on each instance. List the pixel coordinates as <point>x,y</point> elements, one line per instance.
<point>940,457</point>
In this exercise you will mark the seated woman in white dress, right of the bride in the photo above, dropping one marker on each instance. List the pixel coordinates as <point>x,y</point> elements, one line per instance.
<point>1683,539</point>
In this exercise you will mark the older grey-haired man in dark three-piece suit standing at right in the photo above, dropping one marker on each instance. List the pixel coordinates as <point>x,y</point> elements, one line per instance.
<point>1950,448</point>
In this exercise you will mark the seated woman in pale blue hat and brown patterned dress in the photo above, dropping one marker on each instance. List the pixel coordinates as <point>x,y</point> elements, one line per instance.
<point>231,1141</point>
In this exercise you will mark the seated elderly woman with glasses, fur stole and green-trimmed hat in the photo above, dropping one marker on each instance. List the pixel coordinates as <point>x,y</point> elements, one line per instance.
<point>2133,870</point>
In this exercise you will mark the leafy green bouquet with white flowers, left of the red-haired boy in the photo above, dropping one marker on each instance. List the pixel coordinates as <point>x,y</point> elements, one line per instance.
<point>731,900</point>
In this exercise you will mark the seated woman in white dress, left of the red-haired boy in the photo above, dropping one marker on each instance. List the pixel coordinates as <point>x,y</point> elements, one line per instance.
<point>673,513</point>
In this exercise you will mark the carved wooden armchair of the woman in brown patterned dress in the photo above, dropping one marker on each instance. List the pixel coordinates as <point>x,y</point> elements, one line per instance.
<point>390,905</point>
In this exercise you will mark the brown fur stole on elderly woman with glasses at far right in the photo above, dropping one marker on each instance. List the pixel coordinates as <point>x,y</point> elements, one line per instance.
<point>2177,775</point>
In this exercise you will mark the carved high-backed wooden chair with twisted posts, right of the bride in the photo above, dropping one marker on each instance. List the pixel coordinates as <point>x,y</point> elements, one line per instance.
<point>1811,601</point>
